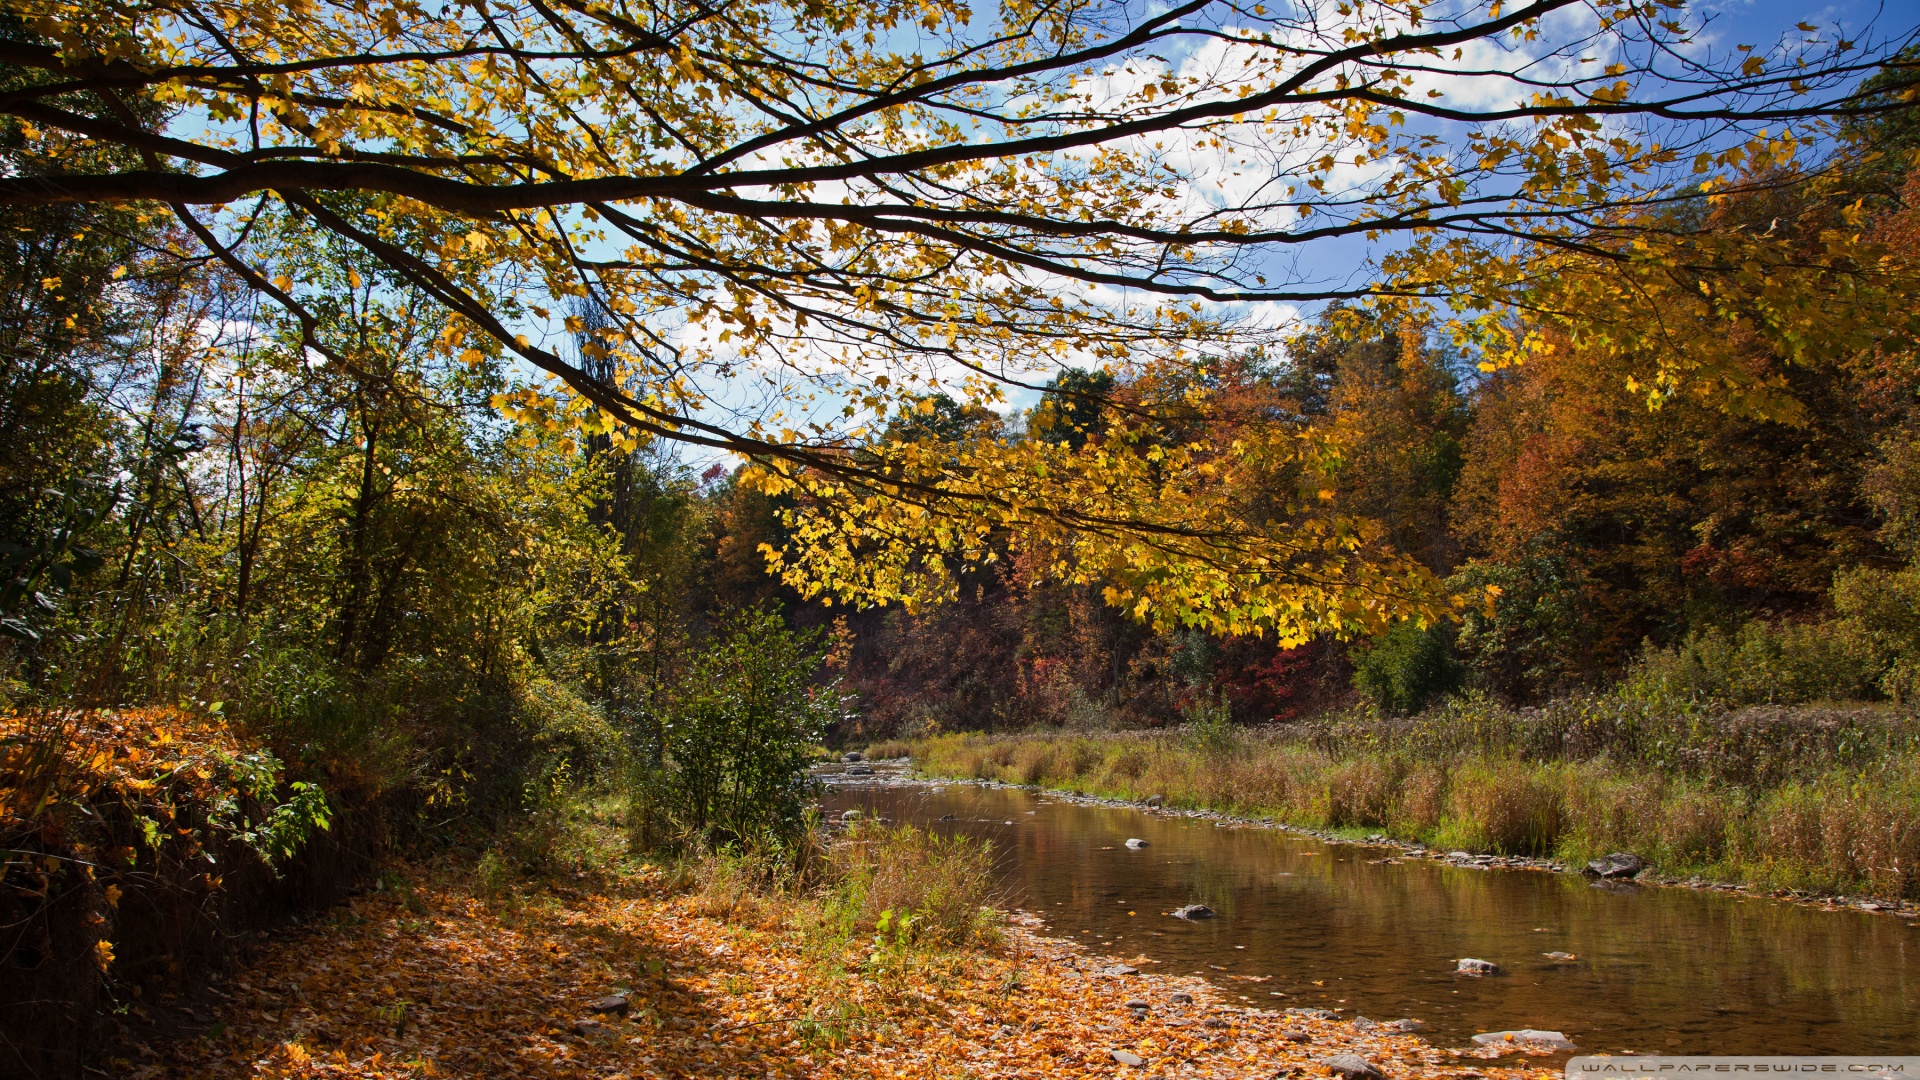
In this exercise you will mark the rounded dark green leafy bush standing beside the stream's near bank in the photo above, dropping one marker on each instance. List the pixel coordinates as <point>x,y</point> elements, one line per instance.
<point>744,727</point>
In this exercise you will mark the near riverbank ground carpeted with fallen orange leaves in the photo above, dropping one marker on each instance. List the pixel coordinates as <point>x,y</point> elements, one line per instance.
<point>640,975</point>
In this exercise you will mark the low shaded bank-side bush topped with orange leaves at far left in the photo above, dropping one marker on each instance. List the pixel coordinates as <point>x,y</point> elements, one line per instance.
<point>141,845</point>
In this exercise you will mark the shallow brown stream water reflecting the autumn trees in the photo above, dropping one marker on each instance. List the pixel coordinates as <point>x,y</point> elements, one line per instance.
<point>1353,929</point>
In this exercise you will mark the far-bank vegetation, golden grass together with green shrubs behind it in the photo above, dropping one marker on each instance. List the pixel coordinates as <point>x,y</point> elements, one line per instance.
<point>1785,758</point>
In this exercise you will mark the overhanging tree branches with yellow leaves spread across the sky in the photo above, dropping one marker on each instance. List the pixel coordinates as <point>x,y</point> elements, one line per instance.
<point>796,222</point>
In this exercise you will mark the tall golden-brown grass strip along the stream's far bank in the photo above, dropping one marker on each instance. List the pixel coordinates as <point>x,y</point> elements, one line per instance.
<point>1810,798</point>
